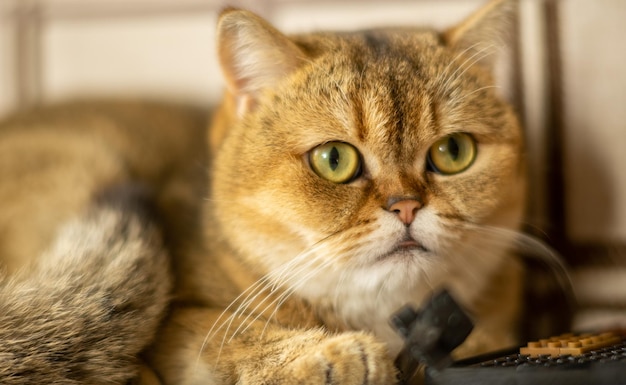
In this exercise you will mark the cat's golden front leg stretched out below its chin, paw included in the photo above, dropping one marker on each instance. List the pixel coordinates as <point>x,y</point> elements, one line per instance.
<point>266,353</point>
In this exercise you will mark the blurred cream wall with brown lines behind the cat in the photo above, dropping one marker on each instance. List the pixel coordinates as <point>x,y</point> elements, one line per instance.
<point>564,72</point>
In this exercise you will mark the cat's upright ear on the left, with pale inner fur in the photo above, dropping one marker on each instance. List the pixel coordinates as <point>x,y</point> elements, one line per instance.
<point>253,55</point>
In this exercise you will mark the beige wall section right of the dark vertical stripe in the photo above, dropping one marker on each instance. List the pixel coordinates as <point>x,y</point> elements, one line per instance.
<point>594,71</point>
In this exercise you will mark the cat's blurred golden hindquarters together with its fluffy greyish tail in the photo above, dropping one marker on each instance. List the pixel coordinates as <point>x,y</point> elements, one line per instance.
<point>85,275</point>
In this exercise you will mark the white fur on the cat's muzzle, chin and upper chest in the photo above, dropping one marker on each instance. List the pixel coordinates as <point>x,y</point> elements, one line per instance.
<point>368,289</point>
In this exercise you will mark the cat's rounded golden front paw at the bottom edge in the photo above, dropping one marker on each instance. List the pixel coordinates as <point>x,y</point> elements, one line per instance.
<point>344,359</point>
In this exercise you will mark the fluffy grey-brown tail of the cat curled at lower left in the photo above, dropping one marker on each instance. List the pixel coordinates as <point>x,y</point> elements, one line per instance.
<point>89,305</point>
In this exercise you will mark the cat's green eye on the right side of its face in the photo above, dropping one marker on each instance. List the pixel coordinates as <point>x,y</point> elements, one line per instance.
<point>452,154</point>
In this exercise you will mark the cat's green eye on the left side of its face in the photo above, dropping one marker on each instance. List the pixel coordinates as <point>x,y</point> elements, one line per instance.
<point>337,162</point>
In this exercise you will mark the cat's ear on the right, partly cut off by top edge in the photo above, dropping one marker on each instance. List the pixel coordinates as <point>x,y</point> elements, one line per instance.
<point>485,32</point>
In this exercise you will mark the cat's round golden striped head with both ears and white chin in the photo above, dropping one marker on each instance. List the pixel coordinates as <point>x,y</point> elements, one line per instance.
<point>374,158</point>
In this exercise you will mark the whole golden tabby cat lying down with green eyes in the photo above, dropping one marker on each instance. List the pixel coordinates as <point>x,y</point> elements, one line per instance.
<point>352,173</point>
